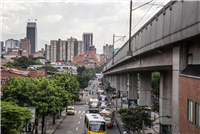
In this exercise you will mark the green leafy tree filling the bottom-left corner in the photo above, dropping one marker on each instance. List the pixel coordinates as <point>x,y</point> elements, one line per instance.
<point>13,118</point>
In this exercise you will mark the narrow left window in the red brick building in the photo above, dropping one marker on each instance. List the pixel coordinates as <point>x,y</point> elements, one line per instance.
<point>190,110</point>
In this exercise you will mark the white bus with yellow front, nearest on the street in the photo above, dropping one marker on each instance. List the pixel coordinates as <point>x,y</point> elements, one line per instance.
<point>94,124</point>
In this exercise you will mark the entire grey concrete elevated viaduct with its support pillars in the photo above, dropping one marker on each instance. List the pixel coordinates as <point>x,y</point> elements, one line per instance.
<point>167,43</point>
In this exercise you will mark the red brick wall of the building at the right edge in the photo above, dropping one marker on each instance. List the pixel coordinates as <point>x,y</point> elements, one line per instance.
<point>189,89</point>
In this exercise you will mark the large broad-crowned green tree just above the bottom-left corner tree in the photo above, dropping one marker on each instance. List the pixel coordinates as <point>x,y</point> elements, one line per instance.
<point>37,93</point>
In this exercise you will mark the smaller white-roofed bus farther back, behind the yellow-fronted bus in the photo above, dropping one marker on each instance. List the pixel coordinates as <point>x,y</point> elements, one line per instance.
<point>93,105</point>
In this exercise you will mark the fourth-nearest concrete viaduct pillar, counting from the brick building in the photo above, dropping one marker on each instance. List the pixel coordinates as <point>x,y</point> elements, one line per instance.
<point>132,95</point>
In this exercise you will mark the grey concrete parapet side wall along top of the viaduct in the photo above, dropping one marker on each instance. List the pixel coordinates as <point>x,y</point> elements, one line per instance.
<point>177,21</point>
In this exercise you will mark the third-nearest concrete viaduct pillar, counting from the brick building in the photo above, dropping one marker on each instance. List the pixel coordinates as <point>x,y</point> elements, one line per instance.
<point>145,89</point>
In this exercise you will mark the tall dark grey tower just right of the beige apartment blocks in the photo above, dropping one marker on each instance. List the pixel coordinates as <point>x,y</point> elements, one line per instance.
<point>88,40</point>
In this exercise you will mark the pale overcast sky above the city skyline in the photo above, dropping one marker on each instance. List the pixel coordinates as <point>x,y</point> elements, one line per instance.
<point>64,19</point>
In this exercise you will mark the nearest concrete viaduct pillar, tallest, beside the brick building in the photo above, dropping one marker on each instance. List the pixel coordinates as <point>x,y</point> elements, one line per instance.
<point>179,63</point>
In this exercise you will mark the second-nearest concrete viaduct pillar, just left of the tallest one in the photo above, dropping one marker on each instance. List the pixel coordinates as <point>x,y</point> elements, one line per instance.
<point>165,100</point>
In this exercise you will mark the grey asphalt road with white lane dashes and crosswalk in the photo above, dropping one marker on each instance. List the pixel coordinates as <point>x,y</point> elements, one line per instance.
<point>74,124</point>
